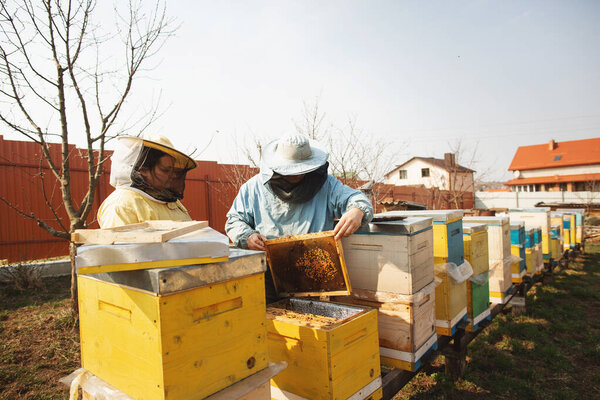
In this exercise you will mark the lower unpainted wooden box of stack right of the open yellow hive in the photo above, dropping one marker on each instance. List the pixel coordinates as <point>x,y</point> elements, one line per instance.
<point>406,324</point>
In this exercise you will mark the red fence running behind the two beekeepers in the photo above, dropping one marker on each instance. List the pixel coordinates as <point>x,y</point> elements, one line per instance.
<point>210,190</point>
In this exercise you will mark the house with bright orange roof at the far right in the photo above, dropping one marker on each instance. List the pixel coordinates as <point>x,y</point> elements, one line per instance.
<point>572,166</point>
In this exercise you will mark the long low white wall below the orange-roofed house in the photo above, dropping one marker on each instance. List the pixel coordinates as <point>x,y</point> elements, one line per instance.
<point>530,199</point>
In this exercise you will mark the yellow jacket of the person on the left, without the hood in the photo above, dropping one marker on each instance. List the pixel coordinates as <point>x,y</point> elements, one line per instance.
<point>129,206</point>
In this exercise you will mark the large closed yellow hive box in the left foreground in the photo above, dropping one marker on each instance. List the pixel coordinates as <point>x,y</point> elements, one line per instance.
<point>175,333</point>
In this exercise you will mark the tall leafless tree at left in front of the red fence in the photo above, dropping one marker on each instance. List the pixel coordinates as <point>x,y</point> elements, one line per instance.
<point>61,78</point>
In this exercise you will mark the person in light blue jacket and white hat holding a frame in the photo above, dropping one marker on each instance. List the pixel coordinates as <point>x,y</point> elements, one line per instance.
<point>293,194</point>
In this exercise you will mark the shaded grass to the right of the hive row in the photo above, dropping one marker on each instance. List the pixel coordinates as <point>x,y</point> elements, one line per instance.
<point>551,352</point>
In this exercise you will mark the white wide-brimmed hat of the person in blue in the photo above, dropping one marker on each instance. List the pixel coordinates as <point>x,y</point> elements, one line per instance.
<point>294,155</point>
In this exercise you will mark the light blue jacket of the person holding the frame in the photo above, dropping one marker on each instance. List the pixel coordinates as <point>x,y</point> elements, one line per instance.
<point>256,209</point>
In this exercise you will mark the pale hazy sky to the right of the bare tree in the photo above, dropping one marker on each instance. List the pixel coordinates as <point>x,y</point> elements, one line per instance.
<point>420,75</point>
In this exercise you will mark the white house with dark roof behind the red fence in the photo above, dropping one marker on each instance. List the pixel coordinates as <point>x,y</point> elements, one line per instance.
<point>431,172</point>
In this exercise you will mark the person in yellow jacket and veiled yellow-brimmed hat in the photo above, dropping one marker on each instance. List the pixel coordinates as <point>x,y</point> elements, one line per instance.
<point>149,176</point>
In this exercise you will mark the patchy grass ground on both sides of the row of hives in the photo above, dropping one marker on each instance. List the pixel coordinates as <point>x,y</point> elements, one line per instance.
<point>551,352</point>
